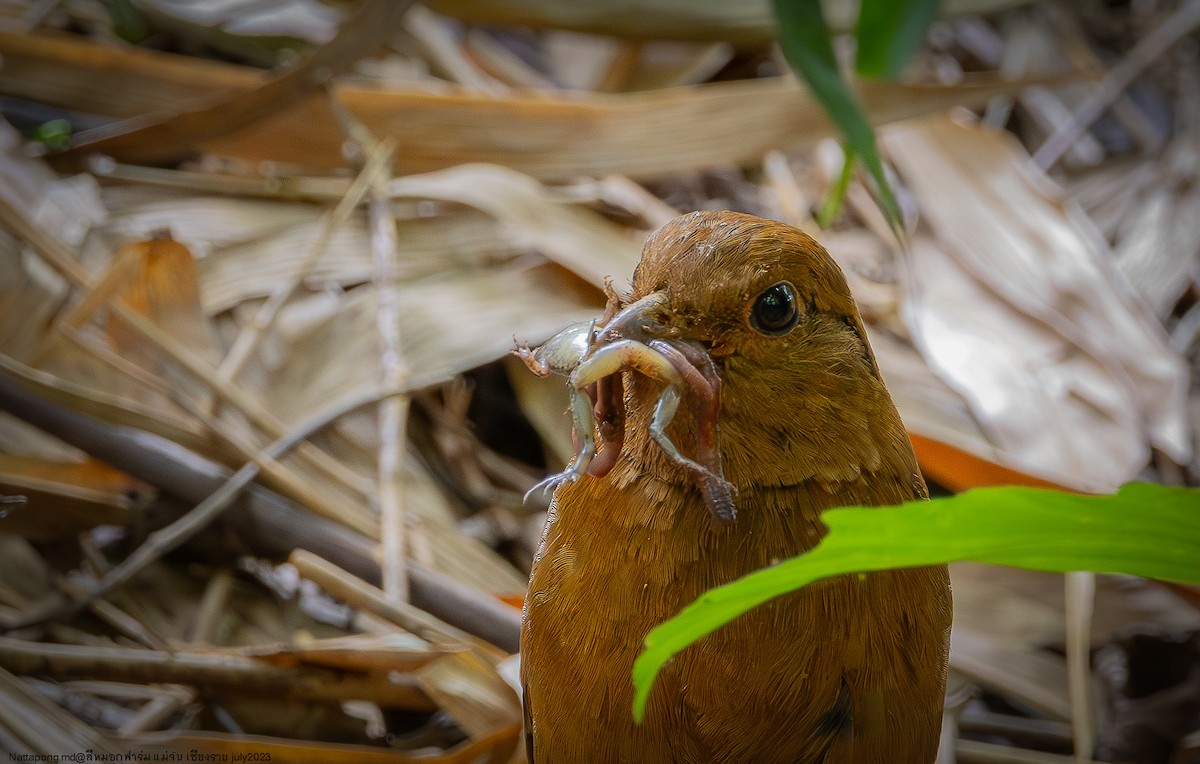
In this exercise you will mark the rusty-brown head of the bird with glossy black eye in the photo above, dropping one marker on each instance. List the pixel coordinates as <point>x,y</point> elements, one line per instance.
<point>802,398</point>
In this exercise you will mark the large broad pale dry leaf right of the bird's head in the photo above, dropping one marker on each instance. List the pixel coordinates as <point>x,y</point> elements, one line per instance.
<point>1018,306</point>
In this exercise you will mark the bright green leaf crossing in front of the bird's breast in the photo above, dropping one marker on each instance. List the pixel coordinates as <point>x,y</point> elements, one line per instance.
<point>1144,530</point>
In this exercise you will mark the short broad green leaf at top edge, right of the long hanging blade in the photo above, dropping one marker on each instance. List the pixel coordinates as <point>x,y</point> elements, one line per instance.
<point>890,33</point>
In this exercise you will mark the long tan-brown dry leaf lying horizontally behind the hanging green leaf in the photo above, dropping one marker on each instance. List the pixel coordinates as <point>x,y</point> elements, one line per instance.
<point>649,135</point>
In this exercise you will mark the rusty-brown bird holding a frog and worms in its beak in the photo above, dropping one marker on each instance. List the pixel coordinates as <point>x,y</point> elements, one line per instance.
<point>849,670</point>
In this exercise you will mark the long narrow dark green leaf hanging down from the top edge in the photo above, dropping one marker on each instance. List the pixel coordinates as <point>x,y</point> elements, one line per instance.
<point>807,45</point>
